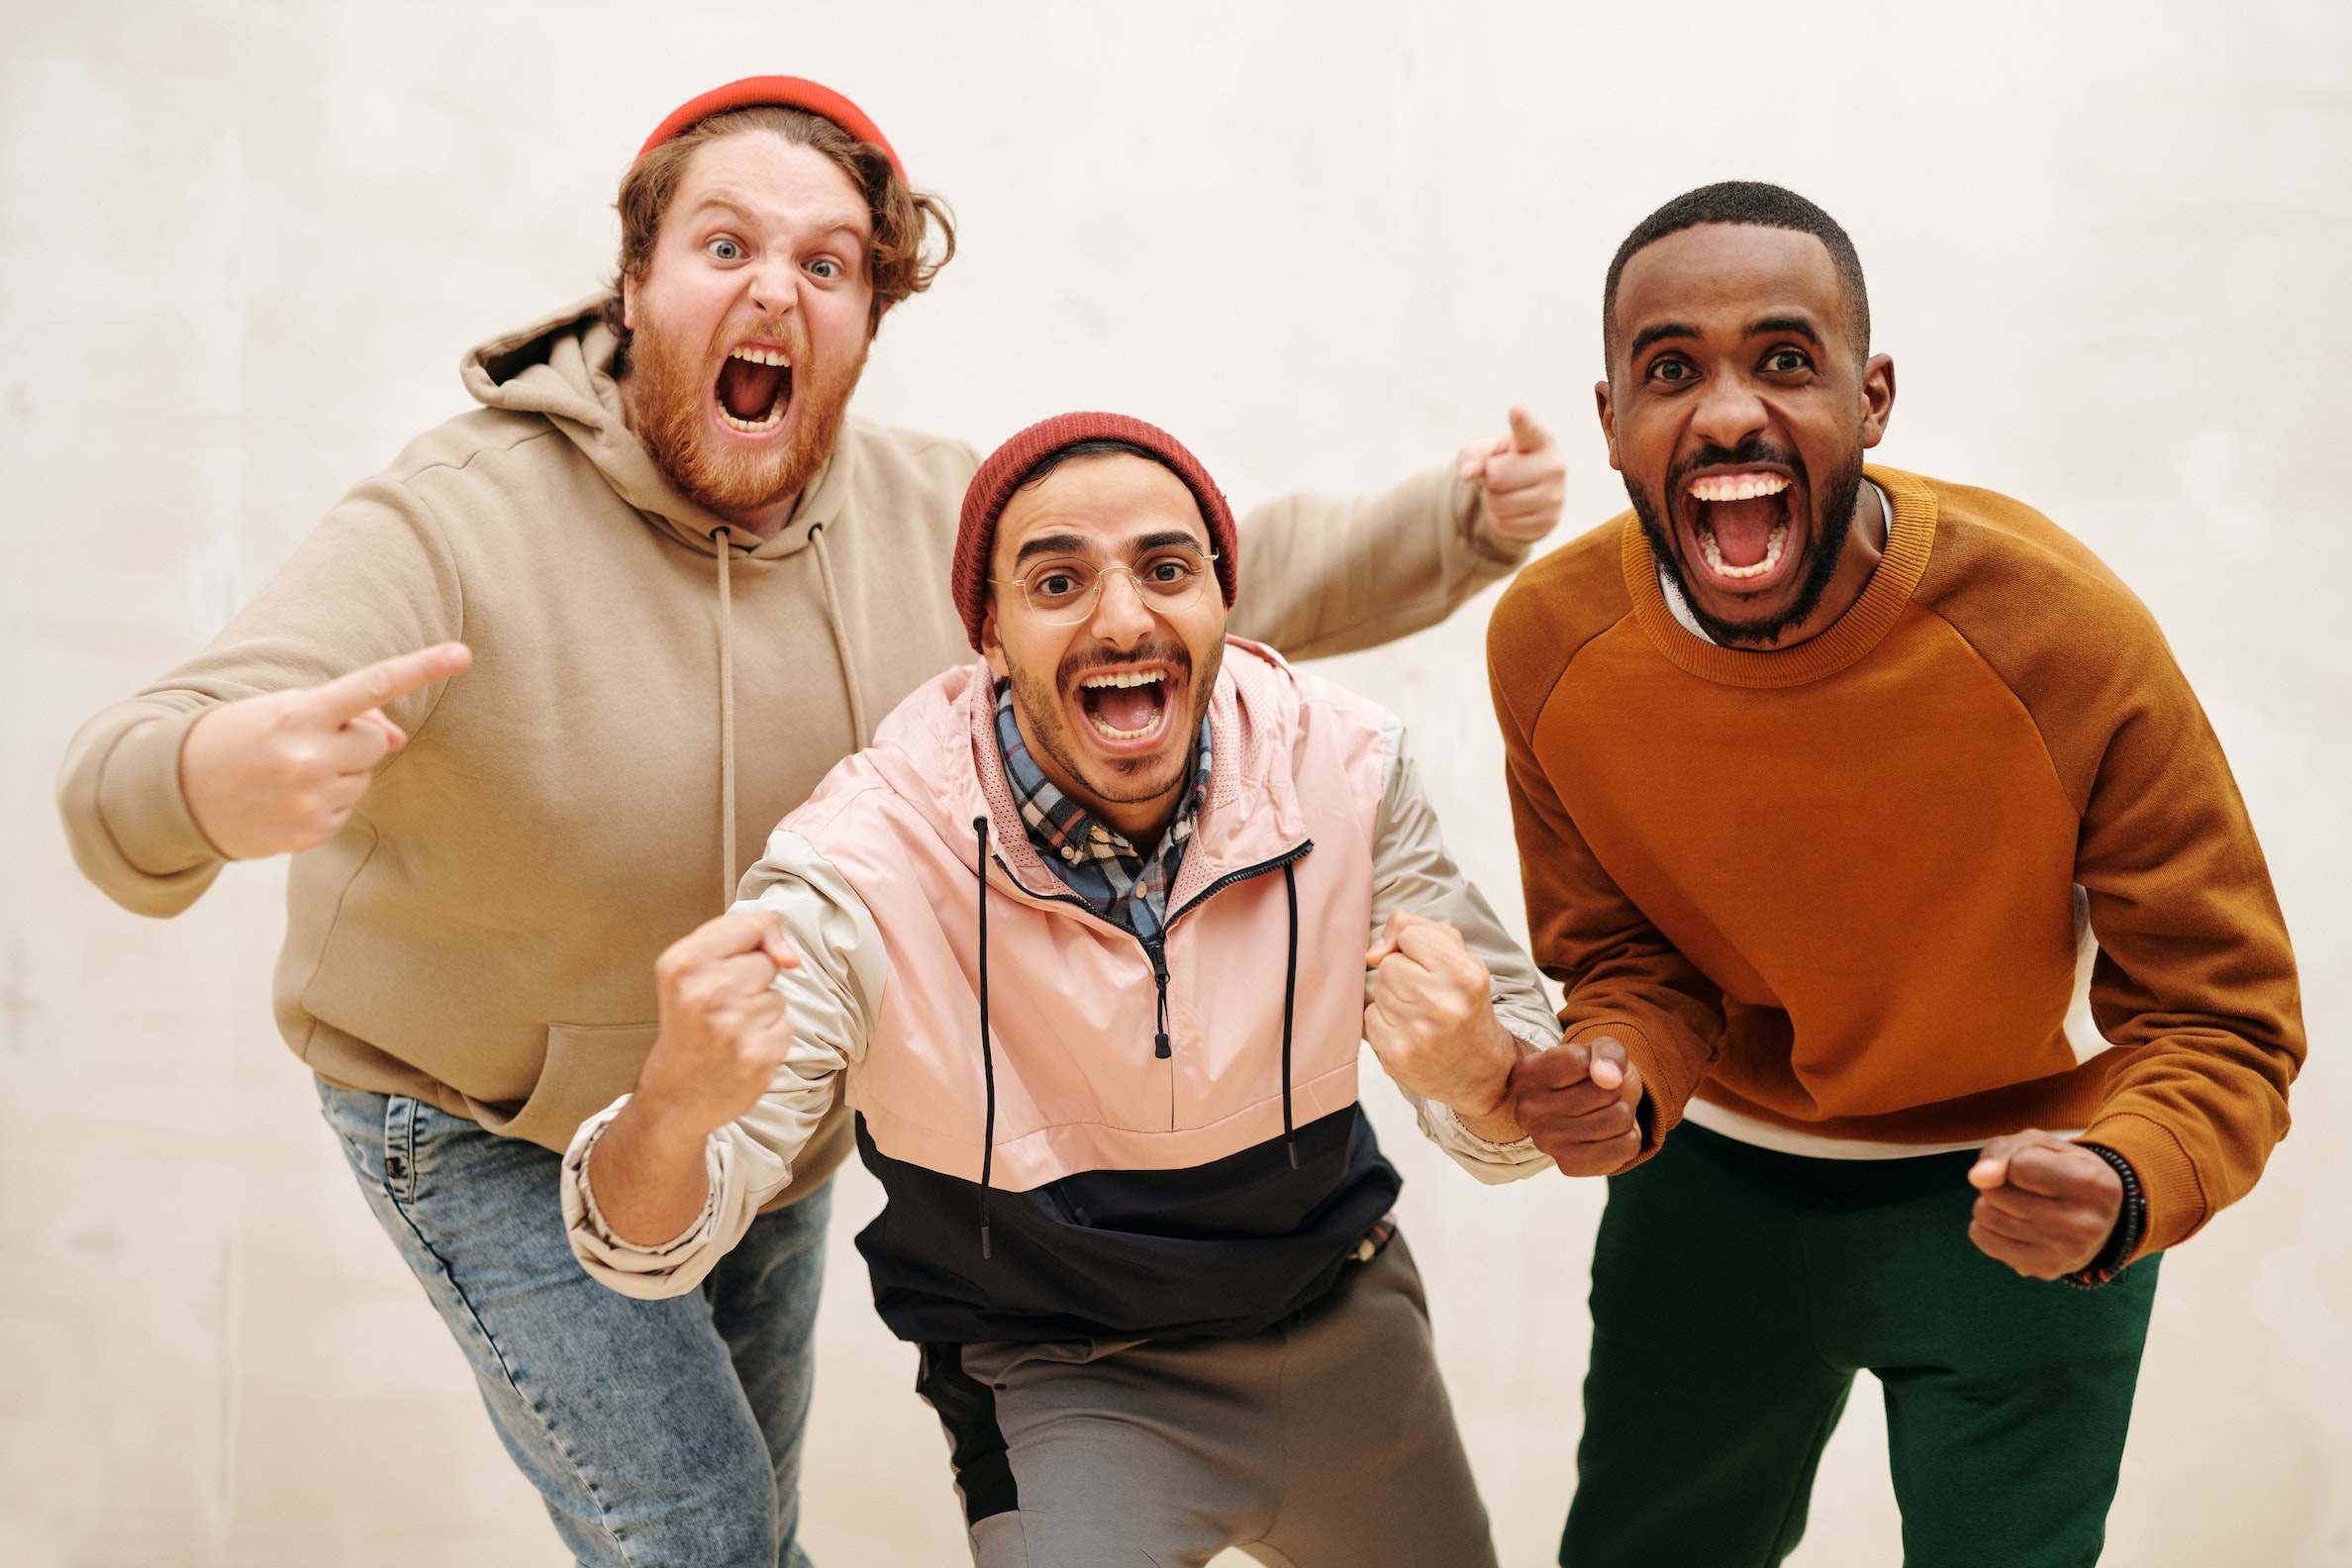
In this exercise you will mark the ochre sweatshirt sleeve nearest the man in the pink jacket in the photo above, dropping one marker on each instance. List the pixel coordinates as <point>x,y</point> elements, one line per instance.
<point>1619,972</point>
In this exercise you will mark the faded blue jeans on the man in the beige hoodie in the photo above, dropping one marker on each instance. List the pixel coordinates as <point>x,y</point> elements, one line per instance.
<point>657,1433</point>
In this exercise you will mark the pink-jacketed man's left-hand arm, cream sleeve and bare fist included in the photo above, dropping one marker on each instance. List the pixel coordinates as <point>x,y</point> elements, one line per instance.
<point>761,1014</point>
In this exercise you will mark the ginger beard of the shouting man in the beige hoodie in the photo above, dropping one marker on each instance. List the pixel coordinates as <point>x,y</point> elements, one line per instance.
<point>671,389</point>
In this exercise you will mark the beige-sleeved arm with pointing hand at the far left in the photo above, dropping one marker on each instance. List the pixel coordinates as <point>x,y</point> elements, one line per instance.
<point>267,739</point>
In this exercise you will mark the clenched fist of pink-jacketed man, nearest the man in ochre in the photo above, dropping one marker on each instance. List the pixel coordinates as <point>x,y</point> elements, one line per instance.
<point>1431,1021</point>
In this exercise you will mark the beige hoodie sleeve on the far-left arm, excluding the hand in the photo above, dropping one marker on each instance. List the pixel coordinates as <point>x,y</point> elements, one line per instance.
<point>373,582</point>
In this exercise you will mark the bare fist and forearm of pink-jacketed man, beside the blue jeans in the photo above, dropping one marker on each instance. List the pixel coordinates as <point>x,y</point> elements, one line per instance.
<point>723,1038</point>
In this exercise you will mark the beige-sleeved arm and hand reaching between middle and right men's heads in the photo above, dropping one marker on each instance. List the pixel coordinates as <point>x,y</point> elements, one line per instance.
<point>1330,575</point>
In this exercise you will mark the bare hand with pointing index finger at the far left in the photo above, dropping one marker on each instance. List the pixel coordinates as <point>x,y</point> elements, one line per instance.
<point>279,775</point>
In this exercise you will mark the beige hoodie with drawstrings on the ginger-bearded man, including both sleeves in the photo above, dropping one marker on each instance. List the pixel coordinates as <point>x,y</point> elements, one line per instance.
<point>483,932</point>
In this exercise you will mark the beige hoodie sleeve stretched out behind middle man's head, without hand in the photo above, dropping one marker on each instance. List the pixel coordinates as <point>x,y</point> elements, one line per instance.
<point>1325,575</point>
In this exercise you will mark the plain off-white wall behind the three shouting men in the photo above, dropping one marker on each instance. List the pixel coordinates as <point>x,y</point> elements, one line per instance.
<point>243,246</point>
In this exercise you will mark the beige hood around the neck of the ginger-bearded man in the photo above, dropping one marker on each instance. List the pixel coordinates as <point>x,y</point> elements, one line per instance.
<point>561,370</point>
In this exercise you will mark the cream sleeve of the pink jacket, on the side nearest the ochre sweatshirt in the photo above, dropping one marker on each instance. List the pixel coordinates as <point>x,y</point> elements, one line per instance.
<point>1412,871</point>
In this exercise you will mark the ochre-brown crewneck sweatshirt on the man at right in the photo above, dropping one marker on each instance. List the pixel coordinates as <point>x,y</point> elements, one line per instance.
<point>1831,887</point>
